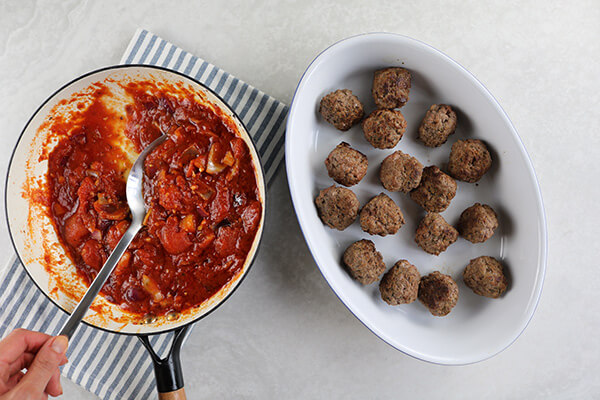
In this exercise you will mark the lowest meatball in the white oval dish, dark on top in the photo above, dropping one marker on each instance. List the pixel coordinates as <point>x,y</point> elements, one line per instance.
<point>439,293</point>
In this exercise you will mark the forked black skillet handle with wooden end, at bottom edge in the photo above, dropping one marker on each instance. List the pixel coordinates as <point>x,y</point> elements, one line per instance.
<point>169,376</point>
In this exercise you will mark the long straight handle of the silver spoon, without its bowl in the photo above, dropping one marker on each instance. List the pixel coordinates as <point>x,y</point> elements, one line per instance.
<point>84,304</point>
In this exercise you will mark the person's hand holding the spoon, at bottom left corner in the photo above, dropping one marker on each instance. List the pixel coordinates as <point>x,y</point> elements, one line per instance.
<point>41,355</point>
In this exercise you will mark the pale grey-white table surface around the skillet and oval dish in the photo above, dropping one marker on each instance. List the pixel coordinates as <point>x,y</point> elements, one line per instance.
<point>285,334</point>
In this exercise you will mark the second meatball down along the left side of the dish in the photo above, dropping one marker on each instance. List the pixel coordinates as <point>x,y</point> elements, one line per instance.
<point>345,165</point>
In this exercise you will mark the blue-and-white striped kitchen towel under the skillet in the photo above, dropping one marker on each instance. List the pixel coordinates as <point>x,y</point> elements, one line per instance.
<point>116,366</point>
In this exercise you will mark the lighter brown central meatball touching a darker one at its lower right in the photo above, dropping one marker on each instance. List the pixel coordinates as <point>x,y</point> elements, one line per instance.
<point>400,172</point>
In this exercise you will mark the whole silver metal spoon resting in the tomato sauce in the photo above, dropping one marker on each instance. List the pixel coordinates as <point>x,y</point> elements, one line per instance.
<point>135,199</point>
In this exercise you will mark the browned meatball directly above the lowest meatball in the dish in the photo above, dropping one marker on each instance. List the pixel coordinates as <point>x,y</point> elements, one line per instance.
<point>434,234</point>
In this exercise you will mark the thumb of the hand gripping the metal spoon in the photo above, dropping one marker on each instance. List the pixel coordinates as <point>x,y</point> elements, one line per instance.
<point>44,365</point>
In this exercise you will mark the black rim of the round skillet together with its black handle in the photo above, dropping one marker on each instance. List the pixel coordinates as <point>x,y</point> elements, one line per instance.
<point>168,370</point>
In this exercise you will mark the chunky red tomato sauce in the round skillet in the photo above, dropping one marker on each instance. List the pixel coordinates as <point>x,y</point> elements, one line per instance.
<point>204,205</point>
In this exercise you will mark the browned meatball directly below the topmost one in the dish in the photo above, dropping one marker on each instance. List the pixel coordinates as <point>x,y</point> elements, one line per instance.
<point>384,128</point>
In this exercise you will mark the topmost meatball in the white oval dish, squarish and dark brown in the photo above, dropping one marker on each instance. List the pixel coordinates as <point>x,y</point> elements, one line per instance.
<point>391,87</point>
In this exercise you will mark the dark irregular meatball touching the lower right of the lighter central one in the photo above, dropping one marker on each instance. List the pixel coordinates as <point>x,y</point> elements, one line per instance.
<point>436,190</point>
